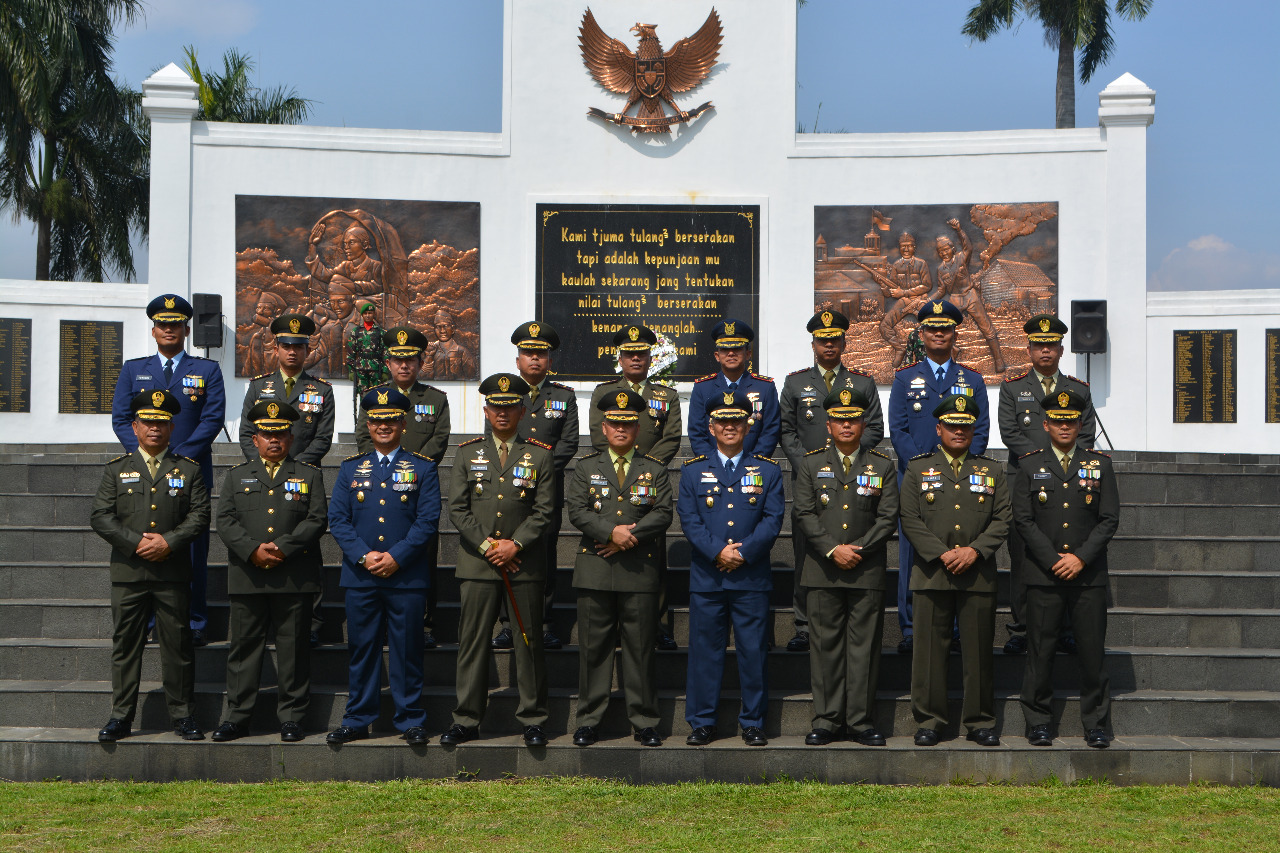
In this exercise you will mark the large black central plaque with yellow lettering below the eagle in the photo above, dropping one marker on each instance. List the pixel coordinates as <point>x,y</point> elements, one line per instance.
<point>678,270</point>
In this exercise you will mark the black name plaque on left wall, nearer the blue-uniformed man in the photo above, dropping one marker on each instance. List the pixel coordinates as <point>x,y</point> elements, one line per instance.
<point>89,363</point>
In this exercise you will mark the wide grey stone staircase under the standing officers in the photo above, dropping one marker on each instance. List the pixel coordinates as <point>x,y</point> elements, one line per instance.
<point>1194,656</point>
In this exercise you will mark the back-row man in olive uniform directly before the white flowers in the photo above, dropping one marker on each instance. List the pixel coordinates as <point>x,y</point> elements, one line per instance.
<point>659,437</point>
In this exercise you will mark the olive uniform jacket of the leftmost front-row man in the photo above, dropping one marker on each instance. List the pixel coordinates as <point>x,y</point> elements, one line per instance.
<point>129,504</point>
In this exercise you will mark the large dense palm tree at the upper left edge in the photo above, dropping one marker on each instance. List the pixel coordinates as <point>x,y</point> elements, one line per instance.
<point>75,157</point>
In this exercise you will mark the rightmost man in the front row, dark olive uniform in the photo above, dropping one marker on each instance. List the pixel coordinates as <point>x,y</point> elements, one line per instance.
<point>1067,564</point>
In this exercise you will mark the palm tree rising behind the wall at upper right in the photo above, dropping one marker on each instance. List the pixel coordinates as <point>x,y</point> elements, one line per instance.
<point>1069,26</point>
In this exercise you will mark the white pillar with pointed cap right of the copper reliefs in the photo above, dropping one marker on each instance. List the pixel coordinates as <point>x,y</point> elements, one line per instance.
<point>1126,111</point>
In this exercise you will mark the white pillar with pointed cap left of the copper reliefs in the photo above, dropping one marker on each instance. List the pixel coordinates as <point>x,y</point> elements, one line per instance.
<point>170,101</point>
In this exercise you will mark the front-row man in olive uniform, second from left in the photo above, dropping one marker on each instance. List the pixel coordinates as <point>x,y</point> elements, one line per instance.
<point>272,513</point>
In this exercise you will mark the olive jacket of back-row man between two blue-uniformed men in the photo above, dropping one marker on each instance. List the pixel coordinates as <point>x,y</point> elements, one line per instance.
<point>804,422</point>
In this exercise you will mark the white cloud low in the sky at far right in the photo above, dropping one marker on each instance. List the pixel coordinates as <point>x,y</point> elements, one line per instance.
<point>1210,263</point>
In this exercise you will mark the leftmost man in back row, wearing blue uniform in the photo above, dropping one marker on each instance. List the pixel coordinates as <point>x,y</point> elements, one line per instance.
<point>199,385</point>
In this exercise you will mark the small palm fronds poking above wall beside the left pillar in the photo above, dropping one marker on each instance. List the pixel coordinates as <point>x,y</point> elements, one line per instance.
<point>231,98</point>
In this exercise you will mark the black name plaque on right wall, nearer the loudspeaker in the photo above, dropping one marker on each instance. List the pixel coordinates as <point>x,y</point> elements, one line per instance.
<point>1205,377</point>
